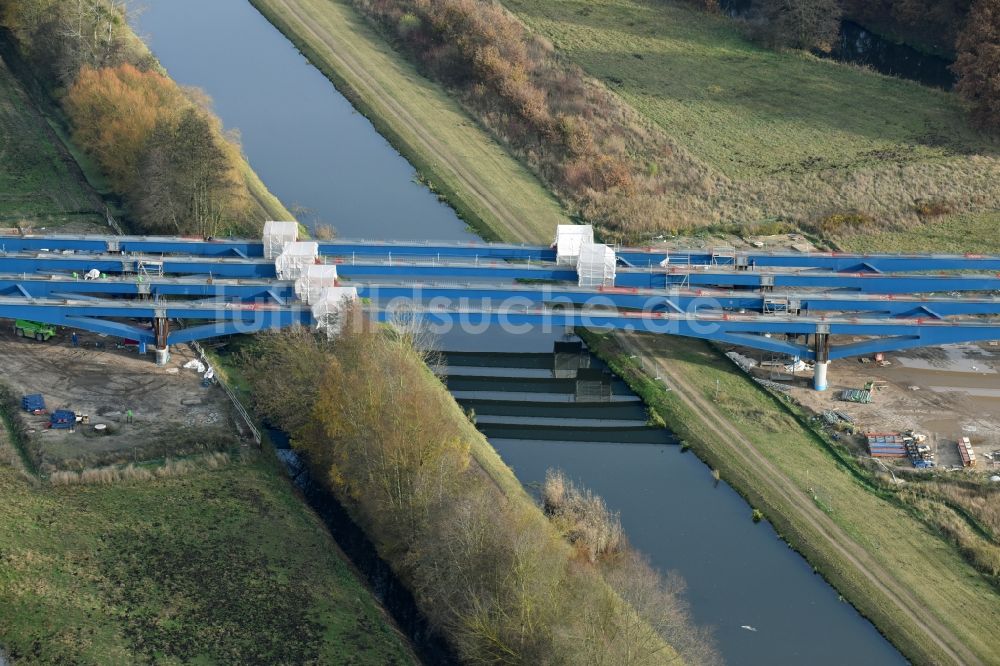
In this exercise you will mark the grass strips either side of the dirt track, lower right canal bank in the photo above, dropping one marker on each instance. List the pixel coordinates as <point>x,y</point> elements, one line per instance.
<point>908,549</point>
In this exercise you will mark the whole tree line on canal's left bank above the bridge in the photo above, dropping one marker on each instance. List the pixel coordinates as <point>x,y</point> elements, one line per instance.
<point>159,145</point>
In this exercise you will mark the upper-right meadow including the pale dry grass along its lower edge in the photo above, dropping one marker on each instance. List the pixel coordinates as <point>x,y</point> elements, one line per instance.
<point>796,135</point>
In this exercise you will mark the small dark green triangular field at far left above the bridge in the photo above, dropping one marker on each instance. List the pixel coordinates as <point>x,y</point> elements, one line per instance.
<point>37,181</point>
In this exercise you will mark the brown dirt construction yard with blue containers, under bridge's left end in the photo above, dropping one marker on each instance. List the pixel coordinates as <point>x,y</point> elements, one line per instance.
<point>173,413</point>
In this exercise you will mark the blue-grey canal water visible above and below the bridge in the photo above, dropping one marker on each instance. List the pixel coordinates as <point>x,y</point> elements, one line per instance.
<point>304,139</point>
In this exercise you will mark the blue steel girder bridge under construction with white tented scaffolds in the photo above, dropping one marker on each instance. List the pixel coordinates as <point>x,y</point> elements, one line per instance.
<point>817,307</point>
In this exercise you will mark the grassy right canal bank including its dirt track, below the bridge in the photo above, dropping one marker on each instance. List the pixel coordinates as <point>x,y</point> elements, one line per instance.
<point>814,501</point>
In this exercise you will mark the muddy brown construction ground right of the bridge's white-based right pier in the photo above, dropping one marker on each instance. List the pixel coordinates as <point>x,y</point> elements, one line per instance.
<point>944,392</point>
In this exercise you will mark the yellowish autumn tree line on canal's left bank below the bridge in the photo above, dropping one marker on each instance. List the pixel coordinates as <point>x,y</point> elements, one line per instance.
<point>486,567</point>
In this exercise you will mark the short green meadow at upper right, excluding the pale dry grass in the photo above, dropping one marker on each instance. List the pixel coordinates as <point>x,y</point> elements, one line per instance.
<point>749,111</point>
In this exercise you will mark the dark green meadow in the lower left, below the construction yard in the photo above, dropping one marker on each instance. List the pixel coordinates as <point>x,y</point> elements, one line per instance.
<point>220,566</point>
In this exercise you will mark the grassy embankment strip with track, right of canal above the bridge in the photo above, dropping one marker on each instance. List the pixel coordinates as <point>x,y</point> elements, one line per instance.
<point>490,190</point>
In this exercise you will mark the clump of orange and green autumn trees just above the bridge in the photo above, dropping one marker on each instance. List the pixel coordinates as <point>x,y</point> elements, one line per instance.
<point>157,147</point>
